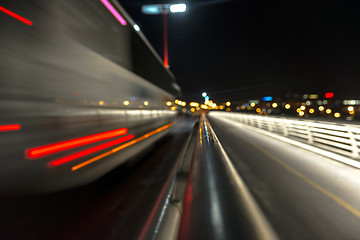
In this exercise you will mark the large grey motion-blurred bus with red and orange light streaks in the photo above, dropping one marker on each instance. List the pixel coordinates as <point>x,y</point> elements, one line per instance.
<point>81,91</point>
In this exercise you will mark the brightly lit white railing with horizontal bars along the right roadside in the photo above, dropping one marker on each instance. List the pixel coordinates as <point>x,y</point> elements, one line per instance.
<point>339,138</point>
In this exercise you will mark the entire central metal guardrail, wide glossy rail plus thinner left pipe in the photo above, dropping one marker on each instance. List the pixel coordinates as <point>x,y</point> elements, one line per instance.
<point>205,198</point>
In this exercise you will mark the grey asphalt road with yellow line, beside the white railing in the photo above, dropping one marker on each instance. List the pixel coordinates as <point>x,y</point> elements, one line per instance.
<point>302,194</point>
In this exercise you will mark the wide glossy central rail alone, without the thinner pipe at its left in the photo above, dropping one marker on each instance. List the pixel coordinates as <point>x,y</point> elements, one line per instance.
<point>217,203</point>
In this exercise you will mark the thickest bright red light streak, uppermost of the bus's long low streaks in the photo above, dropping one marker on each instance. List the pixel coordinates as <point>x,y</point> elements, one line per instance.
<point>72,143</point>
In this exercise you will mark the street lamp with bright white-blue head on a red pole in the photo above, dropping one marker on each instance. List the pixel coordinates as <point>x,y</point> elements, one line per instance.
<point>164,9</point>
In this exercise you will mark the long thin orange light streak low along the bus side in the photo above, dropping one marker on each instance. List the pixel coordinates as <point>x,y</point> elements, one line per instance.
<point>114,150</point>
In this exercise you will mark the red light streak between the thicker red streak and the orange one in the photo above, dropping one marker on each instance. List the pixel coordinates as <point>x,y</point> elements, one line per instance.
<point>69,158</point>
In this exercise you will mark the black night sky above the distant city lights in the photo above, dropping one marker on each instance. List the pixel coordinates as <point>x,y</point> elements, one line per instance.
<point>239,49</point>
